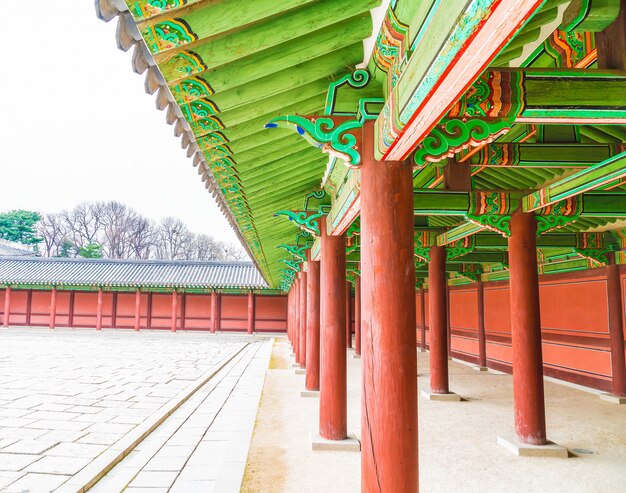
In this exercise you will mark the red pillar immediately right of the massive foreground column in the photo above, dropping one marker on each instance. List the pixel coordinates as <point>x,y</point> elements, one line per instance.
<point>437,298</point>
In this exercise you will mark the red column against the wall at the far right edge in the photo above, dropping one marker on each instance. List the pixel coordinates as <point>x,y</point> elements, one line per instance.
<point>616,329</point>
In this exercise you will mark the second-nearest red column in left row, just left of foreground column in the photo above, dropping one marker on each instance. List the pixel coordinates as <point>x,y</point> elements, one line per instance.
<point>333,384</point>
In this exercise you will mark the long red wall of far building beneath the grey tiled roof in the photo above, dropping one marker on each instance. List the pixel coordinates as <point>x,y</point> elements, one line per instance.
<point>193,310</point>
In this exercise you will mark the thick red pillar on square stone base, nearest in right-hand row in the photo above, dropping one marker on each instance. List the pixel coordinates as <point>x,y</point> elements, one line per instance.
<point>528,400</point>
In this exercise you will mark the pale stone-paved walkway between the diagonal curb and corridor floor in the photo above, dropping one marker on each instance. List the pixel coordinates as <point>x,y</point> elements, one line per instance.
<point>203,446</point>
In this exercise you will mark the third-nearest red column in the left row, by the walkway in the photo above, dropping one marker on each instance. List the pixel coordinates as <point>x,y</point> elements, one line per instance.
<point>312,378</point>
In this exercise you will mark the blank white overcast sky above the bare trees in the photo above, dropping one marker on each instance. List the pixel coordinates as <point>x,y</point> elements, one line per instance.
<point>76,124</point>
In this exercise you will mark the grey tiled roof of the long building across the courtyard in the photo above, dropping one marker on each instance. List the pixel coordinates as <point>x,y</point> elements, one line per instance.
<point>130,273</point>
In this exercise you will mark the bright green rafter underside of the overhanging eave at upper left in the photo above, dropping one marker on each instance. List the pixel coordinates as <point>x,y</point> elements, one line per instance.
<point>232,65</point>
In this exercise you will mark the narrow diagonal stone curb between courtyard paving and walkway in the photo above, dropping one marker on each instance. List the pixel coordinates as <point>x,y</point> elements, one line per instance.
<point>95,470</point>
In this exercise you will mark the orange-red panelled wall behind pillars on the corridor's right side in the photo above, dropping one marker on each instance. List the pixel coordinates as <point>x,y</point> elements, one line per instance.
<point>574,321</point>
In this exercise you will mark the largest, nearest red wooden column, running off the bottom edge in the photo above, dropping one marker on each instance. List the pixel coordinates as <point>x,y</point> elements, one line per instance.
<point>389,459</point>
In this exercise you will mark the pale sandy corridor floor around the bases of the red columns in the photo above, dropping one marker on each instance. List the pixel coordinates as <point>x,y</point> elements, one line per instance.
<point>457,440</point>
